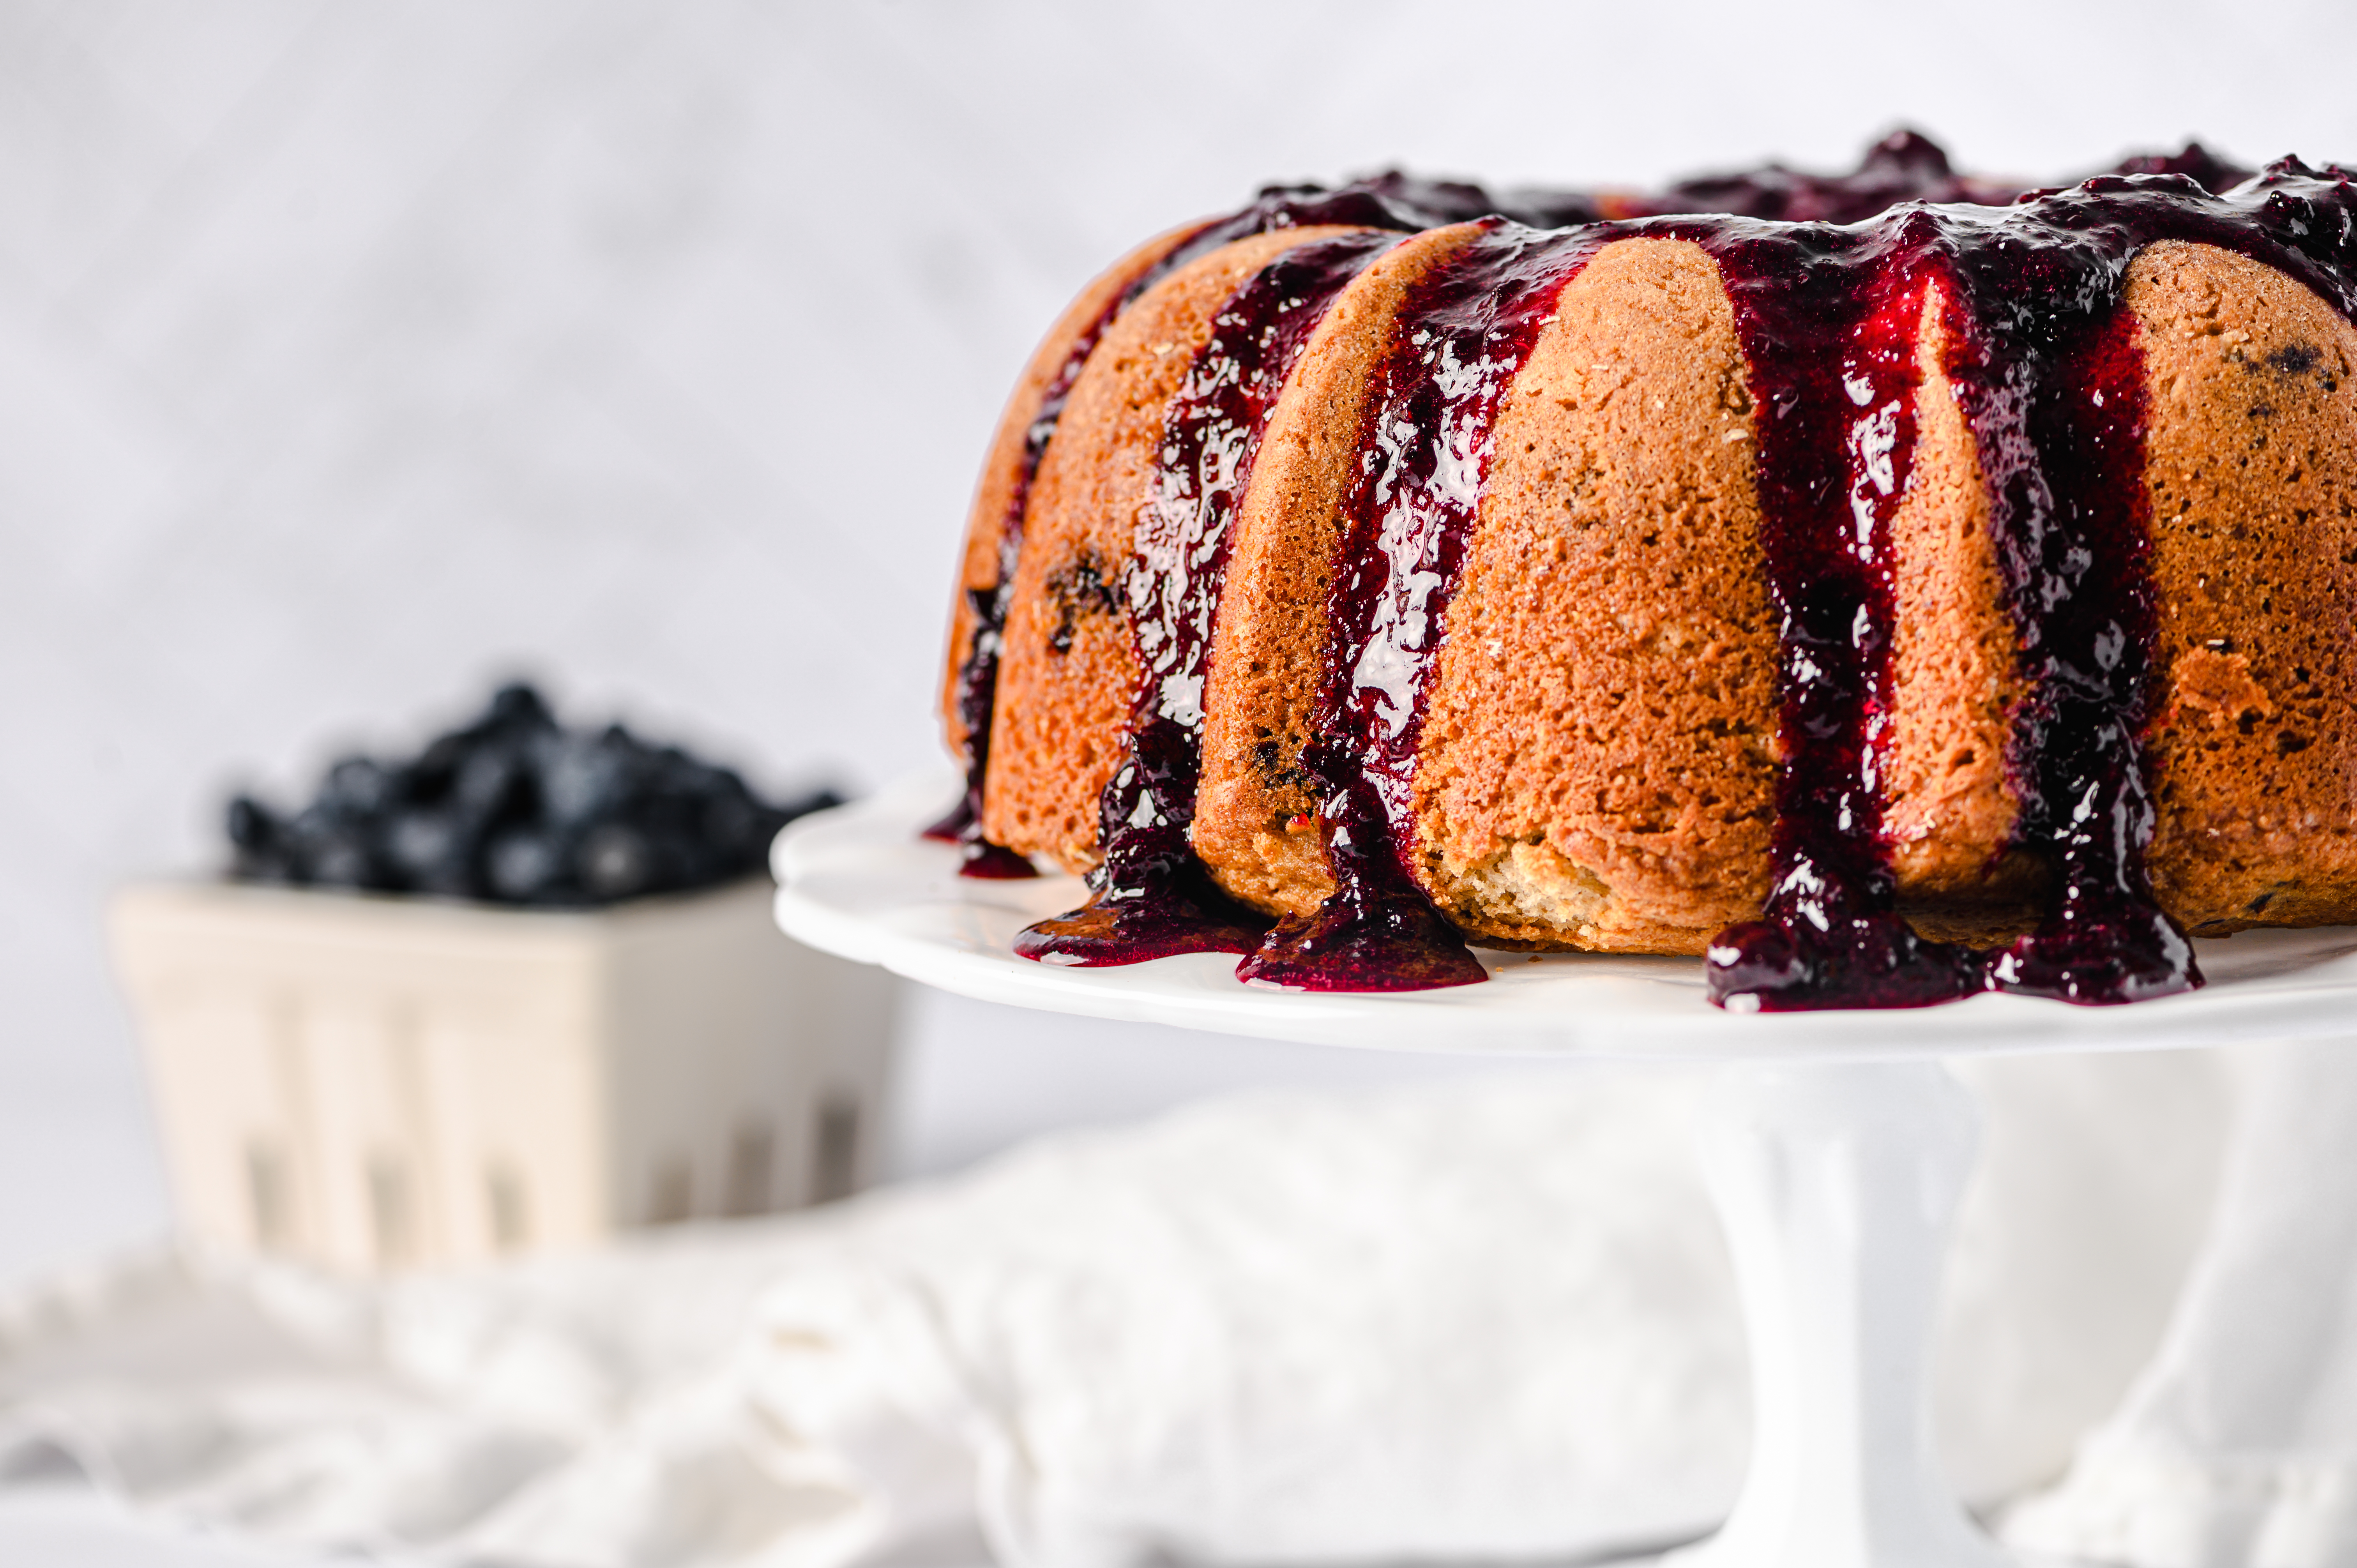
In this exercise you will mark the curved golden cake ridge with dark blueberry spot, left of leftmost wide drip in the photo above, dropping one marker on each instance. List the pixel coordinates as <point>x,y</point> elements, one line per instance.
<point>1069,668</point>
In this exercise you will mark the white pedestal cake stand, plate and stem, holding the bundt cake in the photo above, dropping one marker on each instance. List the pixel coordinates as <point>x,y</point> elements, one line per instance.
<point>1837,1145</point>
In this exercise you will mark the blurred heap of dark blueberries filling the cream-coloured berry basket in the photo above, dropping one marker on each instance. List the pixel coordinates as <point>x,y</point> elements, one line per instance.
<point>520,810</point>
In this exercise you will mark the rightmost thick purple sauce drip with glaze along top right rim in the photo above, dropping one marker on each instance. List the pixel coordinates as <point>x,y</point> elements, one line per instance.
<point>2052,381</point>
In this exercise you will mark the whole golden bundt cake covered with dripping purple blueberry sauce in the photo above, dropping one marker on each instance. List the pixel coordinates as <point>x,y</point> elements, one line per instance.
<point>1887,586</point>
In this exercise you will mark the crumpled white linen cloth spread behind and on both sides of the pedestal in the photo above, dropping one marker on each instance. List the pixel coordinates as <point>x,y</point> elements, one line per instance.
<point>1472,1322</point>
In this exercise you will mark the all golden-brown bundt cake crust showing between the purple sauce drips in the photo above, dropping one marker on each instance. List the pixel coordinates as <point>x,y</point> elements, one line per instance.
<point>1599,751</point>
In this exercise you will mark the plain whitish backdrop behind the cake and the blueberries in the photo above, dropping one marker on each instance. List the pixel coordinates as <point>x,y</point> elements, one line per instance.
<point>357,353</point>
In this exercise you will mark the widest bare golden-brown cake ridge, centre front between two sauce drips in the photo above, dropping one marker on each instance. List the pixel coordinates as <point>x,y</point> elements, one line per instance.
<point>1599,746</point>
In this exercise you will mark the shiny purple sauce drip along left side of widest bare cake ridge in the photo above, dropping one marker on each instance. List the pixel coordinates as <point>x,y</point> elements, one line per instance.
<point>1463,336</point>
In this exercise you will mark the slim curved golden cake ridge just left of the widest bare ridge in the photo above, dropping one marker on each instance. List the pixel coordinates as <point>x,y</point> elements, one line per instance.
<point>1255,808</point>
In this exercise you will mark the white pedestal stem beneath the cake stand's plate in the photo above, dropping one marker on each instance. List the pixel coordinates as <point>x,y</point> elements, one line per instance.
<point>1837,1185</point>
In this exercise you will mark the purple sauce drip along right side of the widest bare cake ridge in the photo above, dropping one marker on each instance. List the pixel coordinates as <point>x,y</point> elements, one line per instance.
<point>1828,319</point>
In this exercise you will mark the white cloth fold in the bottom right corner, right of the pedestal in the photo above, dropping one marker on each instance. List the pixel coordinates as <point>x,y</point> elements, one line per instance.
<point>2238,1447</point>
